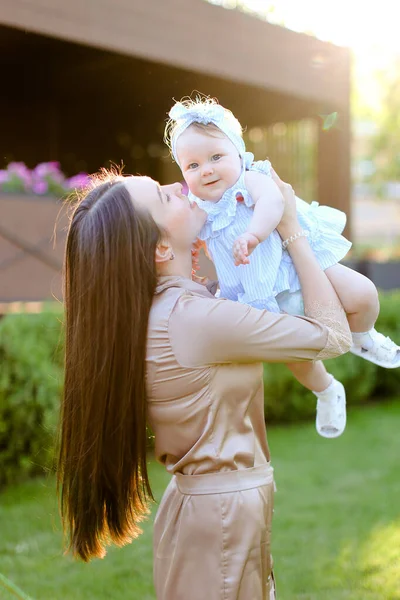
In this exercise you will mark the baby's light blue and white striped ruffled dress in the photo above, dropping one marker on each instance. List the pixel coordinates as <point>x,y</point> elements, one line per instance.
<point>270,280</point>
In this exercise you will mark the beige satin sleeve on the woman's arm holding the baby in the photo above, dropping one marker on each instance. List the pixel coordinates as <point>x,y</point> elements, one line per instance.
<point>223,331</point>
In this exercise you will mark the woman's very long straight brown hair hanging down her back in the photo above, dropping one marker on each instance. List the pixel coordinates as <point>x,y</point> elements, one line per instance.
<point>109,282</point>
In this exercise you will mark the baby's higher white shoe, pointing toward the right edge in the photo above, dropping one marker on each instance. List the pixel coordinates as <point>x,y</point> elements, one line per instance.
<point>376,348</point>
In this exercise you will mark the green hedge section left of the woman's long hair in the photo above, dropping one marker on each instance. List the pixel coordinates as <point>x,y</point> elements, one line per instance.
<point>30,386</point>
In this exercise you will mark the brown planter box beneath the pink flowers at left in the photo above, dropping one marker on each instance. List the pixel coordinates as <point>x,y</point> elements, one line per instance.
<point>32,239</point>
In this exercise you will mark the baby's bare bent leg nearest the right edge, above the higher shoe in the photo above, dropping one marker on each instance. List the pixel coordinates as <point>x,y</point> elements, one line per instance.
<point>358,296</point>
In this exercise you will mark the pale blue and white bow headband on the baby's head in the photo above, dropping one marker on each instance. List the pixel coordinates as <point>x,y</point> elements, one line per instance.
<point>205,114</point>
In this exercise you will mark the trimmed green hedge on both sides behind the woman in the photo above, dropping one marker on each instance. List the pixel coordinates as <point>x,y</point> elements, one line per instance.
<point>31,379</point>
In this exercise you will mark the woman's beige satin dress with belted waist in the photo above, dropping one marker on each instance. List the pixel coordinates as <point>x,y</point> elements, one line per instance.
<point>206,408</point>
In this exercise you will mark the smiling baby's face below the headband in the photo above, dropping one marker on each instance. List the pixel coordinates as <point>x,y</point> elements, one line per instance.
<point>210,163</point>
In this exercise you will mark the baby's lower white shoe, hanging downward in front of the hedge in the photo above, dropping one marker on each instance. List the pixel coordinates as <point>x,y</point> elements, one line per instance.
<point>331,410</point>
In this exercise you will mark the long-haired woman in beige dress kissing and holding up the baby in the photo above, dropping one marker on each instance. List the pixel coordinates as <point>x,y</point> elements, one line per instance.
<point>144,341</point>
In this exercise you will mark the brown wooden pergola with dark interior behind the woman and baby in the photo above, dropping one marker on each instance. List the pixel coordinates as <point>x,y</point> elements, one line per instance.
<point>88,82</point>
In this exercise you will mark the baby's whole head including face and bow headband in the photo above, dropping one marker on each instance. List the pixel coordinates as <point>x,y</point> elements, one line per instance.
<point>206,141</point>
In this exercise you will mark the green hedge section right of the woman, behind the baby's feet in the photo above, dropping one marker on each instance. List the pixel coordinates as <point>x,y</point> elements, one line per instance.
<point>286,400</point>
